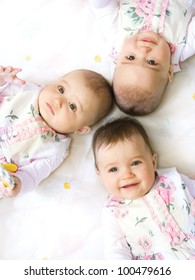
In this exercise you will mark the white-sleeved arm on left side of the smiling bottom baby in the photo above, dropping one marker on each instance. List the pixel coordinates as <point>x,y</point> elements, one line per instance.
<point>116,247</point>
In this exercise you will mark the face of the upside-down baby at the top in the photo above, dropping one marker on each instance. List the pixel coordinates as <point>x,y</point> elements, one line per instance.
<point>144,58</point>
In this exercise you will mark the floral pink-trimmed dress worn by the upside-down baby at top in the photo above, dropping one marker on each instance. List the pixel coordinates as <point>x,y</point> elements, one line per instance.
<point>169,18</point>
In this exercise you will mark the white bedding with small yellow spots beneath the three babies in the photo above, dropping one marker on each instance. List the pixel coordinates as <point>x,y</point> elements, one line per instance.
<point>61,218</point>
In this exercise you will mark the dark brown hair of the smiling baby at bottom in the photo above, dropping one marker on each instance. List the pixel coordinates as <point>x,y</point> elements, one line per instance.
<point>122,129</point>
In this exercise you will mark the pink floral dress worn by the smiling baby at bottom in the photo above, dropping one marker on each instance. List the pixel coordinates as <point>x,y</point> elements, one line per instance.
<point>159,225</point>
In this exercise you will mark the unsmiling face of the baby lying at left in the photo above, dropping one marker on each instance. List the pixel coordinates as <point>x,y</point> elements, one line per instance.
<point>66,105</point>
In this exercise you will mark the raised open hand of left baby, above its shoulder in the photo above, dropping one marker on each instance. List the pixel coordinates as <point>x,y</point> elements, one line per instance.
<point>8,74</point>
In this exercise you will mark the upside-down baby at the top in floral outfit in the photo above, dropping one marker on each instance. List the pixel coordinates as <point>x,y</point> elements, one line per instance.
<point>154,37</point>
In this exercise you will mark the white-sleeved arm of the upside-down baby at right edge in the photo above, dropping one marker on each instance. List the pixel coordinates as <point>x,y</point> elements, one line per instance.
<point>189,48</point>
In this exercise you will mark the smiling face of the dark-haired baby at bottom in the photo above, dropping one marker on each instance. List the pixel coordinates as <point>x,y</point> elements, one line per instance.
<point>127,169</point>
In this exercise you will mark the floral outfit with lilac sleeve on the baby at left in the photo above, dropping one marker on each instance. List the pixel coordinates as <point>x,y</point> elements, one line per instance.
<point>25,138</point>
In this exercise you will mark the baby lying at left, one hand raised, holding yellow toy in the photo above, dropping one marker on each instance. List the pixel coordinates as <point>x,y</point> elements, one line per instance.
<point>35,121</point>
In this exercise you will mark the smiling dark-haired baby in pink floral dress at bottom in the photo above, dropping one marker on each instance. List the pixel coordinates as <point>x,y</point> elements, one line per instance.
<point>149,214</point>
